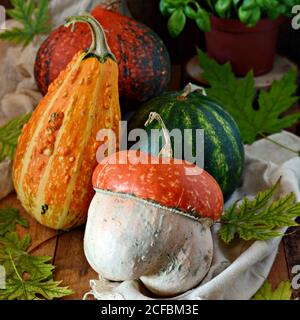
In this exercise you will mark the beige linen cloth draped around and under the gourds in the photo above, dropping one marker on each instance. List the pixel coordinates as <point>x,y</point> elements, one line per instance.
<point>238,270</point>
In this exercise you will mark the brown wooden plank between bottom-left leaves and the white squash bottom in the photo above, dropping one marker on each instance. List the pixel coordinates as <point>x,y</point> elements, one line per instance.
<point>71,264</point>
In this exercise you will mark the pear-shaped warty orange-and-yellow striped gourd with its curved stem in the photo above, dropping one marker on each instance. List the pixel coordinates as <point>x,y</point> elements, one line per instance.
<point>56,153</point>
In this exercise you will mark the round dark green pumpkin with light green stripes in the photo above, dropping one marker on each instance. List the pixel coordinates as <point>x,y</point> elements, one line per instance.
<point>223,147</point>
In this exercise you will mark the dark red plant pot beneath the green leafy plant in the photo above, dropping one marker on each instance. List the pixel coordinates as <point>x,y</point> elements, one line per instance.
<point>245,48</point>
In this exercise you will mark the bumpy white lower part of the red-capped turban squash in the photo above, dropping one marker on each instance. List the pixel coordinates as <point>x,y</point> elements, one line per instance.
<point>128,238</point>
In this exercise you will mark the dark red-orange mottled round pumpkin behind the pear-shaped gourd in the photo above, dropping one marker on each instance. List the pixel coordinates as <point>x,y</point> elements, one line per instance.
<point>144,64</point>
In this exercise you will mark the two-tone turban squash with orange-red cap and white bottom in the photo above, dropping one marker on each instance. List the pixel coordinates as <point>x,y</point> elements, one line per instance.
<point>150,220</point>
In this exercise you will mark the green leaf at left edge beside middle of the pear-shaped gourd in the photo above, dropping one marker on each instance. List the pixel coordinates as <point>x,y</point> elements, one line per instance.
<point>9,134</point>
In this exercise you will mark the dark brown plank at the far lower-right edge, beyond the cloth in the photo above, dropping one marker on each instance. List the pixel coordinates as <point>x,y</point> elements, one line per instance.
<point>292,251</point>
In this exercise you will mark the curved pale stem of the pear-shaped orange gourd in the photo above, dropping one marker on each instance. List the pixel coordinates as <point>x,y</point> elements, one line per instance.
<point>99,46</point>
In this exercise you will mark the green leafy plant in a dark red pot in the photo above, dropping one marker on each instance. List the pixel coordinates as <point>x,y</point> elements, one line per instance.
<point>242,32</point>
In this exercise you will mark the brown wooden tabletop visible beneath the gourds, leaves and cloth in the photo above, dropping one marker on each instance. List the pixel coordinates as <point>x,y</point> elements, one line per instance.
<point>67,253</point>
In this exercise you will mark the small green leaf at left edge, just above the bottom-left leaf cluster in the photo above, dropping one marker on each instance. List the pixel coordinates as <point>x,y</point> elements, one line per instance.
<point>9,217</point>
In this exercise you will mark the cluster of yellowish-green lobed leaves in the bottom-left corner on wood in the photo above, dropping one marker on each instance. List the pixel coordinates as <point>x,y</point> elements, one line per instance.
<point>27,277</point>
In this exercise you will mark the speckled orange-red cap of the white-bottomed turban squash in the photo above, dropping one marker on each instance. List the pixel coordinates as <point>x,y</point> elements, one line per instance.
<point>183,185</point>
